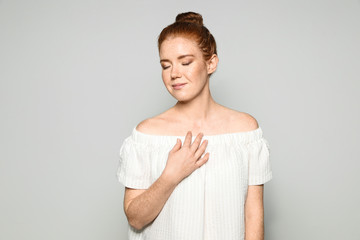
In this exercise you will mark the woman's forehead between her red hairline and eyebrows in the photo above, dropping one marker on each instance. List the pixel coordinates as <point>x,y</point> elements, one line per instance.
<point>176,46</point>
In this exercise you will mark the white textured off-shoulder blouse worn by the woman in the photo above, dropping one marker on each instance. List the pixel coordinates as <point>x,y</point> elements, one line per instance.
<point>209,203</point>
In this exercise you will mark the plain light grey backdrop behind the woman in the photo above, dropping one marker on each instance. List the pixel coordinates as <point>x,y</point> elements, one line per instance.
<point>77,76</point>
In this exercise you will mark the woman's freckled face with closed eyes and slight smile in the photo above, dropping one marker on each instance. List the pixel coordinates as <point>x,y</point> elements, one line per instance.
<point>182,62</point>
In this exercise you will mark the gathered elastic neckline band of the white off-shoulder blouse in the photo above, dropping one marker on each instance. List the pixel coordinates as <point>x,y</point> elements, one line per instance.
<point>223,138</point>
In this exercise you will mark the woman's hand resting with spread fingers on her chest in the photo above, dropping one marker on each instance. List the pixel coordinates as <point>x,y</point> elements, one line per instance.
<point>185,159</point>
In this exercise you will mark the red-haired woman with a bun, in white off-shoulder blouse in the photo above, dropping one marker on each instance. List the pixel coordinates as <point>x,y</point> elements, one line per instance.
<point>195,171</point>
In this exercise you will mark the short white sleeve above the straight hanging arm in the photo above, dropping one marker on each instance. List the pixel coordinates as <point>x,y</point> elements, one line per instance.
<point>259,162</point>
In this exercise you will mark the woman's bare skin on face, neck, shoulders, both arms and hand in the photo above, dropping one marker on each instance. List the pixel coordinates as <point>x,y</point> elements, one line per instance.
<point>196,113</point>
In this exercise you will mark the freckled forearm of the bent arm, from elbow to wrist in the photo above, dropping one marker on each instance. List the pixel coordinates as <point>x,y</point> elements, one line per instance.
<point>144,208</point>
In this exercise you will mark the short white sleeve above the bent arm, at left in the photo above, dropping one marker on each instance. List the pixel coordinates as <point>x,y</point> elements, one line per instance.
<point>134,167</point>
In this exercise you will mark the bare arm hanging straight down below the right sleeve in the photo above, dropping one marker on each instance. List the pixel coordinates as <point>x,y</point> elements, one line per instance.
<point>254,213</point>
